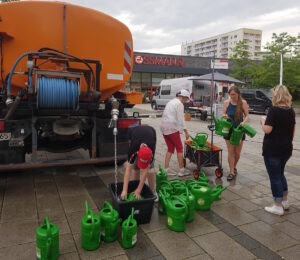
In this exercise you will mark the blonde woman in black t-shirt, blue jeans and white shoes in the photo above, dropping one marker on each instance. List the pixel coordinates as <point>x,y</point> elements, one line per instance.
<point>279,128</point>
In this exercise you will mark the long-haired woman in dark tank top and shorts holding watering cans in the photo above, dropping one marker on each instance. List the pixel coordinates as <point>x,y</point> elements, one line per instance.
<point>237,109</point>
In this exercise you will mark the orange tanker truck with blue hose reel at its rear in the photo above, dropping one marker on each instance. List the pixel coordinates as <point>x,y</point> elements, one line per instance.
<point>62,67</point>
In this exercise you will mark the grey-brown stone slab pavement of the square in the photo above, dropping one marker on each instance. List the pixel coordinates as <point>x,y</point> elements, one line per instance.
<point>236,227</point>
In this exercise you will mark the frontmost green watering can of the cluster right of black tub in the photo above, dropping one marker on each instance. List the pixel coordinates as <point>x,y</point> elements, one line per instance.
<point>177,212</point>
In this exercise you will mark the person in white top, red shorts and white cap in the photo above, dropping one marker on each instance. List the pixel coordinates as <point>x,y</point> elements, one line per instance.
<point>172,125</point>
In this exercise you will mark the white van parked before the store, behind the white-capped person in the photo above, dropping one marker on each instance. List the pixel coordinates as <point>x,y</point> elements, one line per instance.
<point>199,89</point>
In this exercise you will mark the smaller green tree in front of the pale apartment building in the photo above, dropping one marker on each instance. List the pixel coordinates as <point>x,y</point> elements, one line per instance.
<point>243,68</point>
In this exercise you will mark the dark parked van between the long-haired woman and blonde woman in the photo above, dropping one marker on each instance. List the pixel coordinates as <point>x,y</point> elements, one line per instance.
<point>258,100</point>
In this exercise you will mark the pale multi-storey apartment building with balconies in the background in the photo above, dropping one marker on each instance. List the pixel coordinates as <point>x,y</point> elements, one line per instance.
<point>223,44</point>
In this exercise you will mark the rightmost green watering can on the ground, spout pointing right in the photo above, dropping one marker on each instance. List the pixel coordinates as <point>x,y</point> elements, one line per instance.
<point>205,196</point>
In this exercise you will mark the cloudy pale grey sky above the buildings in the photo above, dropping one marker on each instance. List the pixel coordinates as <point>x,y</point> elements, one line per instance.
<point>161,26</point>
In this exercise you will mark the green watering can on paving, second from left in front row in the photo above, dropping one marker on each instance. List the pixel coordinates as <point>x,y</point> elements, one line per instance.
<point>90,229</point>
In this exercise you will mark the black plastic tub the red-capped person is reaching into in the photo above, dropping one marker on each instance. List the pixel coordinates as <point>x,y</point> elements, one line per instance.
<point>142,208</point>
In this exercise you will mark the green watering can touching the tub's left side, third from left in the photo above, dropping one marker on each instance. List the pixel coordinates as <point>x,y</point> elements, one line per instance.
<point>109,219</point>
